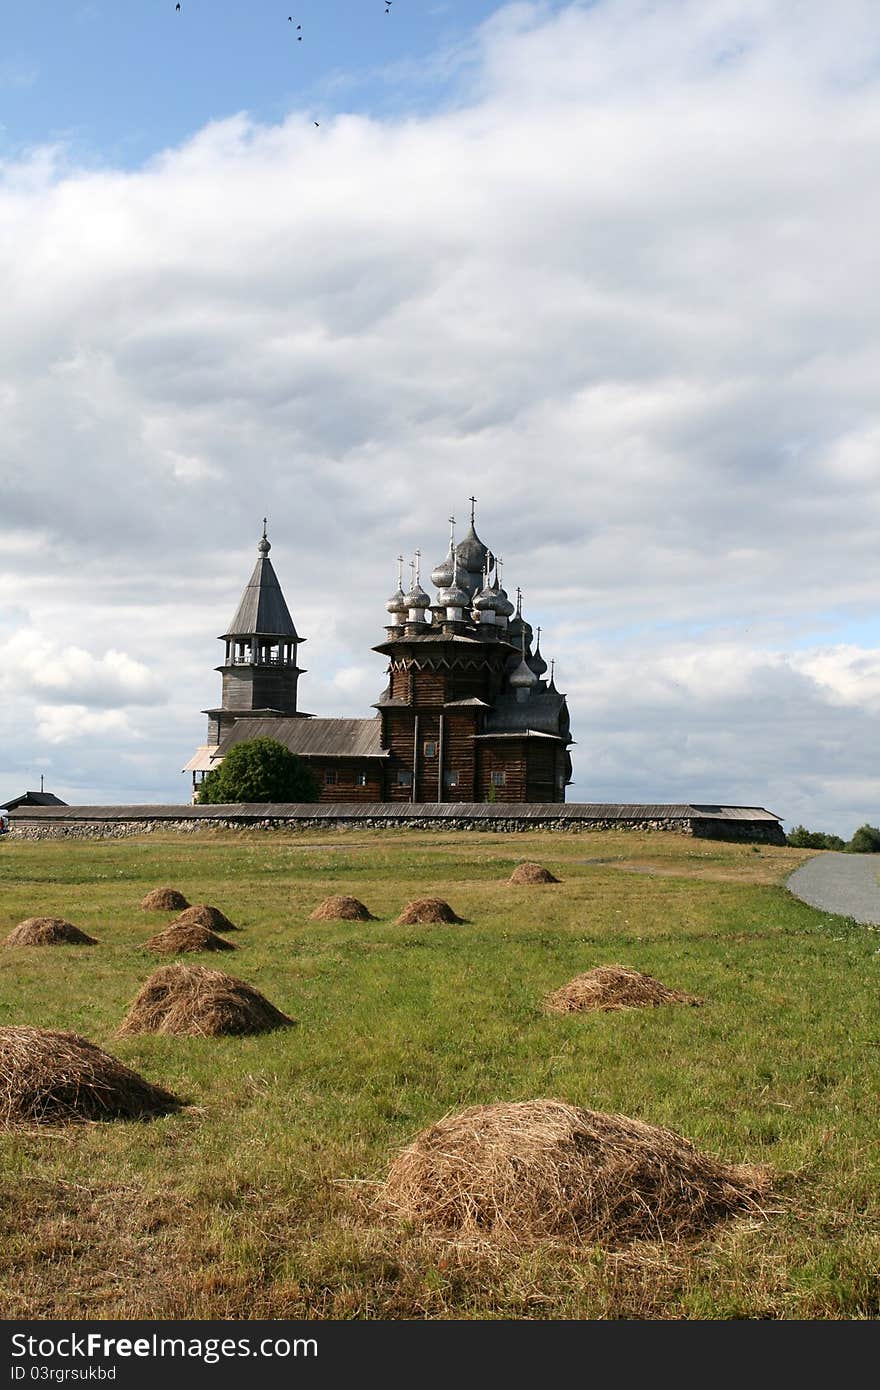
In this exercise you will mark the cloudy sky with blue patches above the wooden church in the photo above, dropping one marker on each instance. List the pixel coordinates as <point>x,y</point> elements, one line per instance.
<point>608,266</point>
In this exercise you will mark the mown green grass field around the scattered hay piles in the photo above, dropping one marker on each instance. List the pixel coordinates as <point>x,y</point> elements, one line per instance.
<point>258,1202</point>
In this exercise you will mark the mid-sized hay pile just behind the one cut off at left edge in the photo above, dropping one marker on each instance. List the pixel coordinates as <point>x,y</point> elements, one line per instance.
<point>199,1003</point>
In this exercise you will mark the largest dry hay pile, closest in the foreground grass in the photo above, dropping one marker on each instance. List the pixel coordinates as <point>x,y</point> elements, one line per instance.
<point>547,1171</point>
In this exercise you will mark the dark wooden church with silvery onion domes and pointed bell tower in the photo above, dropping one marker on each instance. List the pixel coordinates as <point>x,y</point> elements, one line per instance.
<point>468,714</point>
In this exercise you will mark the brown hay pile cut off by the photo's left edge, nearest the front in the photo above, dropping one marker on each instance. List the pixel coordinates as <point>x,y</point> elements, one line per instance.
<point>51,1078</point>
